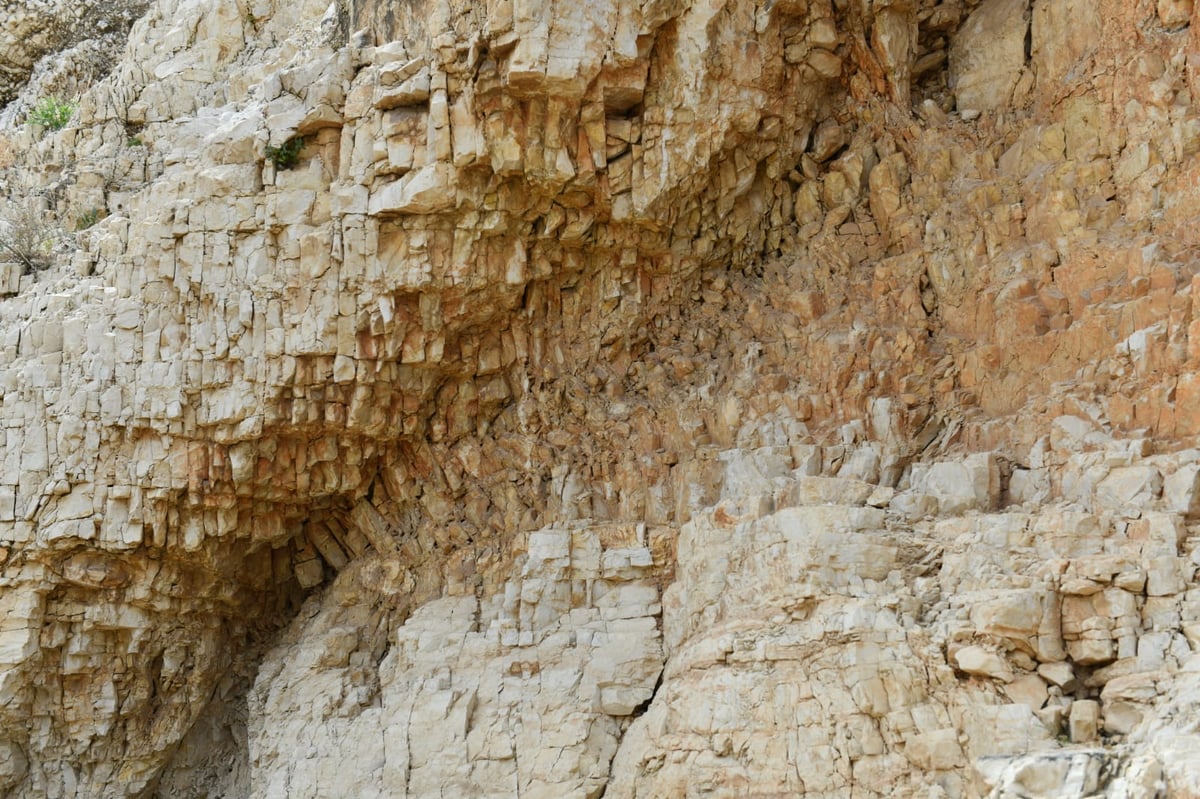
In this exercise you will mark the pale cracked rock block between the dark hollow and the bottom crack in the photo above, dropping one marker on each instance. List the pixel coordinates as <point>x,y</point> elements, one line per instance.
<point>524,695</point>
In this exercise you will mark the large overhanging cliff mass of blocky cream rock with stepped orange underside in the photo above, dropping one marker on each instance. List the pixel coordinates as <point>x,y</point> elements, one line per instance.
<point>247,350</point>
